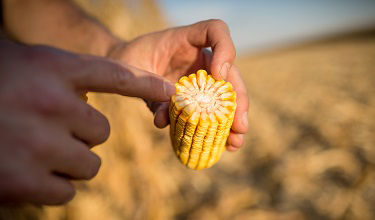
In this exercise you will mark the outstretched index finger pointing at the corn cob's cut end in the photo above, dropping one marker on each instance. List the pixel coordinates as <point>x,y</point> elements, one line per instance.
<point>102,75</point>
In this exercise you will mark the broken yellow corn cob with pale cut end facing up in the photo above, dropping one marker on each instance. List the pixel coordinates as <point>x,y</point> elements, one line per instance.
<point>201,114</point>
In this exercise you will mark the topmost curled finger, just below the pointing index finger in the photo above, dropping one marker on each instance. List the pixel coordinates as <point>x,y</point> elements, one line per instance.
<point>86,123</point>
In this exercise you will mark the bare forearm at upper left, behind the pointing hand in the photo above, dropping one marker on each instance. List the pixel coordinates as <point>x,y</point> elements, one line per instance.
<point>58,23</point>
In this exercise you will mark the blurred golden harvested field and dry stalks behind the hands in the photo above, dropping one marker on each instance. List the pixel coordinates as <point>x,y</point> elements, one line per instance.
<point>309,153</point>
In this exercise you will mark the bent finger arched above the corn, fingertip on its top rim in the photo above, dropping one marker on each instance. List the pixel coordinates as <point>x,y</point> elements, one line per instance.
<point>215,34</point>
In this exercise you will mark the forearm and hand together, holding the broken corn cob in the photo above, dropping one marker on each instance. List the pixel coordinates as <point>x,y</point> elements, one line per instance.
<point>168,53</point>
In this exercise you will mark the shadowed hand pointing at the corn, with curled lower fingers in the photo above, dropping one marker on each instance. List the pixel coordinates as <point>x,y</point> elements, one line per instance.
<point>46,130</point>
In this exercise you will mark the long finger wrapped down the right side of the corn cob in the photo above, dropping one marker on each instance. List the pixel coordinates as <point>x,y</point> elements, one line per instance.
<point>240,123</point>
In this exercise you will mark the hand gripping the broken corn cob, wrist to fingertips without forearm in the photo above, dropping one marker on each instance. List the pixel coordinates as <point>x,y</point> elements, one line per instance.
<point>175,52</point>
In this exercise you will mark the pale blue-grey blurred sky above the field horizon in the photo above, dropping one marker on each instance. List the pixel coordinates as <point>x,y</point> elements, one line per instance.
<point>257,25</point>
